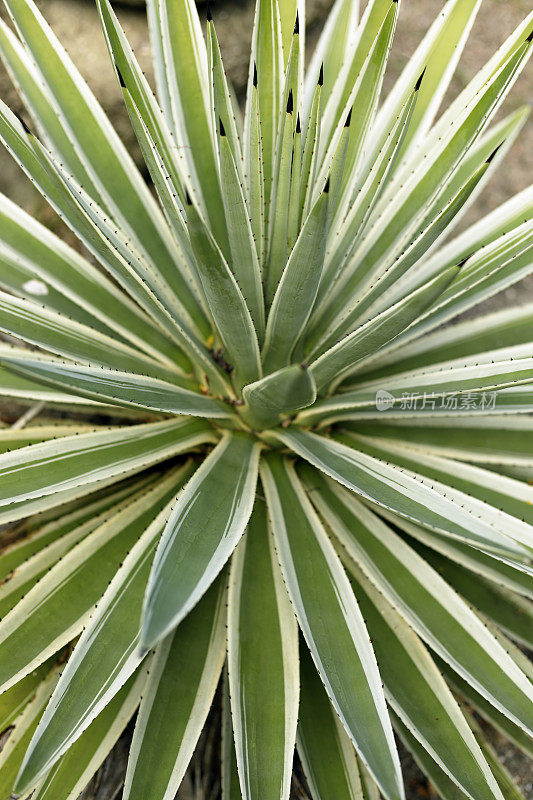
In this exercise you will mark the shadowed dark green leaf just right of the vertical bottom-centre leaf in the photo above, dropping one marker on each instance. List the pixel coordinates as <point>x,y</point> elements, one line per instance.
<point>327,754</point>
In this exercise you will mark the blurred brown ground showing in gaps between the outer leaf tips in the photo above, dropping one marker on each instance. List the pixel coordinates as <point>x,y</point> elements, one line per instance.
<point>76,24</point>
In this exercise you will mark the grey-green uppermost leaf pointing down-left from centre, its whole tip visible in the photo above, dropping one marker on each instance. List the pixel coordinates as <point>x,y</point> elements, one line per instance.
<point>201,533</point>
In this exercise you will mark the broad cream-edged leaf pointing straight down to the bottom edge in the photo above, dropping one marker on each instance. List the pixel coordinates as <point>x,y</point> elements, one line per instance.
<point>262,662</point>
